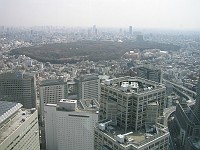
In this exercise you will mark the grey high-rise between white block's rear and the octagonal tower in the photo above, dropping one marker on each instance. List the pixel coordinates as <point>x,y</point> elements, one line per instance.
<point>88,86</point>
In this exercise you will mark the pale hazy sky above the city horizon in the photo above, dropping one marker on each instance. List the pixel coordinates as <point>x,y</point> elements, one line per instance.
<point>176,14</point>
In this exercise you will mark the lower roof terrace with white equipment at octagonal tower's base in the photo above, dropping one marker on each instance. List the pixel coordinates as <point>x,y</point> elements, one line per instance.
<point>131,137</point>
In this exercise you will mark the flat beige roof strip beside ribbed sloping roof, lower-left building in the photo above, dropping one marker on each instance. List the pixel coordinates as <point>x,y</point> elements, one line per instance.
<point>11,125</point>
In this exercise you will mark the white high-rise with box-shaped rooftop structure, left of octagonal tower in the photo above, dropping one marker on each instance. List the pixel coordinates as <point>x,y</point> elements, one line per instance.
<point>69,125</point>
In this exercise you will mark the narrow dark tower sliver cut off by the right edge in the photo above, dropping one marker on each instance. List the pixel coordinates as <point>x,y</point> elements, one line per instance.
<point>197,104</point>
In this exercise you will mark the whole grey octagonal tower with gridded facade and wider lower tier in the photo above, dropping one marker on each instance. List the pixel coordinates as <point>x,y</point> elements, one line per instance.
<point>130,108</point>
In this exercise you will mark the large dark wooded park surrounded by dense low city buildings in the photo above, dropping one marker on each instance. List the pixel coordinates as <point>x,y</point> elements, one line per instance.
<point>88,50</point>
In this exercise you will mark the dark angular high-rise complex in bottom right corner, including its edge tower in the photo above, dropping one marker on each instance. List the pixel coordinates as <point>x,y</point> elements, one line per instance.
<point>188,120</point>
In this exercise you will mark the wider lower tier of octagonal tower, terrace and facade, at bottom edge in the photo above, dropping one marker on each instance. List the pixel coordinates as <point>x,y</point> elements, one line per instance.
<point>109,137</point>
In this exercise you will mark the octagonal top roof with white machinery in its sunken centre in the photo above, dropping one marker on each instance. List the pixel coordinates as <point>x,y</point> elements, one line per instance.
<point>131,85</point>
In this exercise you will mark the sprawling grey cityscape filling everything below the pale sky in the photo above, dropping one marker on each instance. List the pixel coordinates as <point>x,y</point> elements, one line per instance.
<point>82,78</point>
